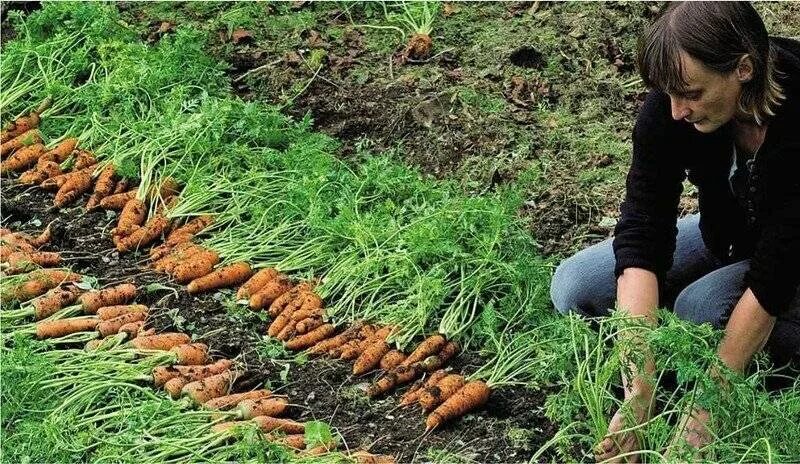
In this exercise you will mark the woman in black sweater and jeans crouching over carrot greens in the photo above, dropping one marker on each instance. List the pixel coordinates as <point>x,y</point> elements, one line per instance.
<point>724,110</point>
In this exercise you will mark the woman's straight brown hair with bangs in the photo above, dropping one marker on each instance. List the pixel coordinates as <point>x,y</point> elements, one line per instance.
<point>718,34</point>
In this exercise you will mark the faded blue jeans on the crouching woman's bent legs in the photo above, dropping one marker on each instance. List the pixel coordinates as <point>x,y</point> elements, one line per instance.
<point>699,288</point>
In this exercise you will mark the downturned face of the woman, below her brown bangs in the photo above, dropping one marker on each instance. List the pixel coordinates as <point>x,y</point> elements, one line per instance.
<point>710,99</point>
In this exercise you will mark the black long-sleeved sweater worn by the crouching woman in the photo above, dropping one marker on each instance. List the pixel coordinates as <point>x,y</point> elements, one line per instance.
<point>764,227</point>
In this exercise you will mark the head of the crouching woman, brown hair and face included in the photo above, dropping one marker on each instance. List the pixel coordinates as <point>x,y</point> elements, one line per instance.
<point>714,61</point>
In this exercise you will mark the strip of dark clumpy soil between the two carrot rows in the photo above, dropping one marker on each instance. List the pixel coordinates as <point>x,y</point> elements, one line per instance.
<point>319,389</point>
